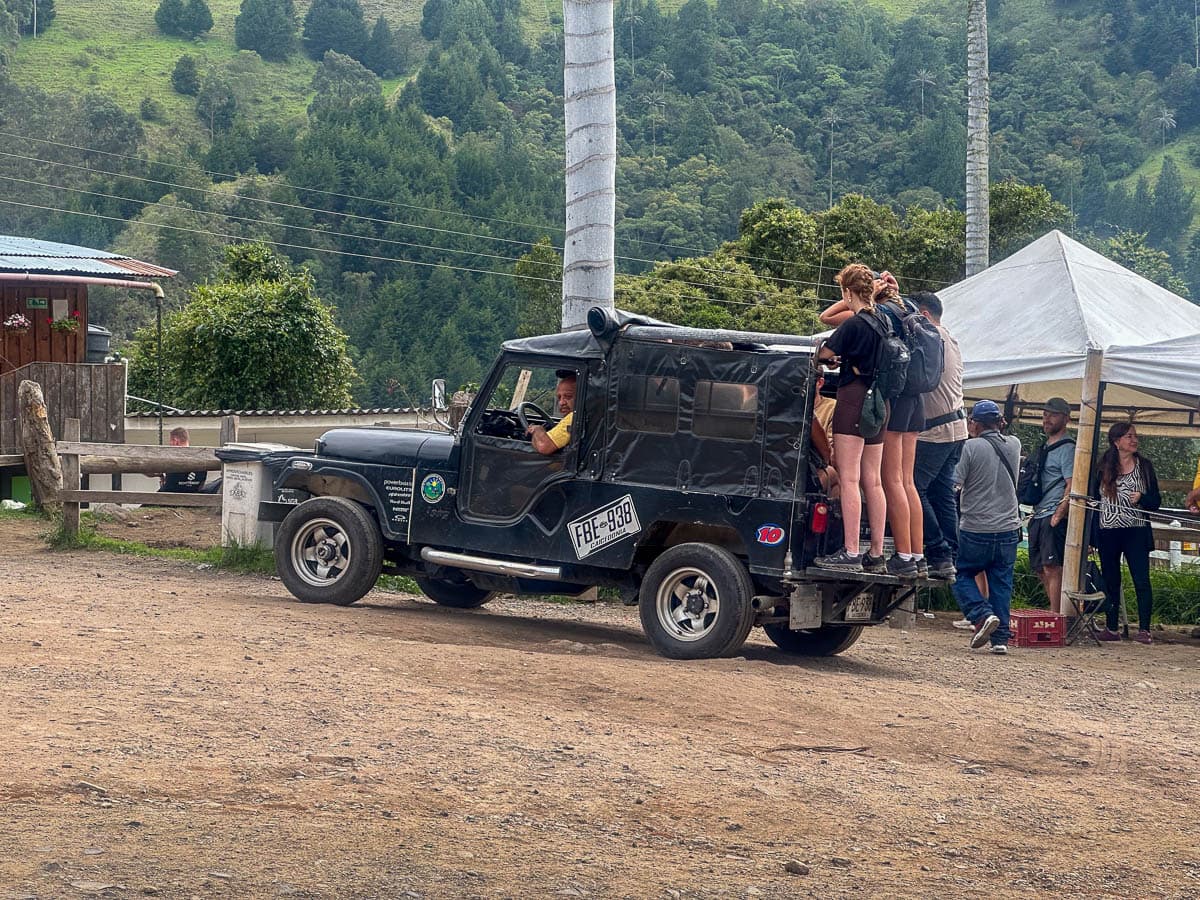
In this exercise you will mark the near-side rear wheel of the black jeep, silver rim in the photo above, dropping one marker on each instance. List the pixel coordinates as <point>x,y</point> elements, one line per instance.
<point>695,603</point>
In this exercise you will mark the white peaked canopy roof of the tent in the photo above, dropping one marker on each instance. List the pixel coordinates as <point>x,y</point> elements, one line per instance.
<point>1028,323</point>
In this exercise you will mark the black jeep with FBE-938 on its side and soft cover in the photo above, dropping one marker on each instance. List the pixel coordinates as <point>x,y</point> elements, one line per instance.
<point>687,484</point>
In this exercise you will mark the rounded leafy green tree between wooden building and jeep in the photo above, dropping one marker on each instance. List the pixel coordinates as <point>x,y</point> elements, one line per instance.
<point>257,339</point>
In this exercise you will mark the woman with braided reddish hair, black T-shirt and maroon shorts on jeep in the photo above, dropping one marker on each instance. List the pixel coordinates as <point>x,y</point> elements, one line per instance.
<point>855,349</point>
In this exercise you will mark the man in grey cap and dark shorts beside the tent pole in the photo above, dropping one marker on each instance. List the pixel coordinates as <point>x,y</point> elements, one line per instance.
<point>1052,469</point>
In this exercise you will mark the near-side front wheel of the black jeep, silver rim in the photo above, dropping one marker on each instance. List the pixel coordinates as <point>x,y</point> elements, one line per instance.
<point>338,536</point>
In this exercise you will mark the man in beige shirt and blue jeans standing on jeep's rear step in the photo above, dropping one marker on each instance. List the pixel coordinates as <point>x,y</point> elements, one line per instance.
<point>939,448</point>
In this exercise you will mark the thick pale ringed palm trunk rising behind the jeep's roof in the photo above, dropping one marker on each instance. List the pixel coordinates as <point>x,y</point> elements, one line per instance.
<point>591,110</point>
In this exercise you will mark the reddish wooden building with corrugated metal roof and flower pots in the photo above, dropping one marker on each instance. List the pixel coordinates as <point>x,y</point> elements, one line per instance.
<point>44,335</point>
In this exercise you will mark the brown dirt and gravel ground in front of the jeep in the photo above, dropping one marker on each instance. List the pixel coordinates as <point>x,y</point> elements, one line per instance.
<point>181,733</point>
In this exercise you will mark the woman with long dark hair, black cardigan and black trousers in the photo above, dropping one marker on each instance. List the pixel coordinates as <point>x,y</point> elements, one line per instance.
<point>1125,487</point>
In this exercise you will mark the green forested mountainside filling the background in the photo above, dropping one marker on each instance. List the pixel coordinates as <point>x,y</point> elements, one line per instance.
<point>413,164</point>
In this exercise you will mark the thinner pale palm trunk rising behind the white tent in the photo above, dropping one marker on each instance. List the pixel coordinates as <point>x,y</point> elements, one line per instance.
<point>977,137</point>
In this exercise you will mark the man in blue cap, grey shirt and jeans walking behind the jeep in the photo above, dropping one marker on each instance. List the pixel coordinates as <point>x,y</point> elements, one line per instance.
<point>989,525</point>
